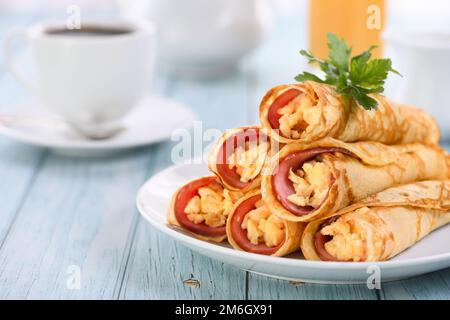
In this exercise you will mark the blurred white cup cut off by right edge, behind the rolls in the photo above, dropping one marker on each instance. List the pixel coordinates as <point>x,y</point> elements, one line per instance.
<point>423,60</point>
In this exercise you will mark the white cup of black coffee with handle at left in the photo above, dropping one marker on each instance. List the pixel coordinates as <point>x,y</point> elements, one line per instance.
<point>90,76</point>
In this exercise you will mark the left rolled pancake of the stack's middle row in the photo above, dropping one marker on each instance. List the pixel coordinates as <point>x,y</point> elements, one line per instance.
<point>238,156</point>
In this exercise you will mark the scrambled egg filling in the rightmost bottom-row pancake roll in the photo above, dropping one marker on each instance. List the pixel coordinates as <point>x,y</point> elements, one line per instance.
<point>346,244</point>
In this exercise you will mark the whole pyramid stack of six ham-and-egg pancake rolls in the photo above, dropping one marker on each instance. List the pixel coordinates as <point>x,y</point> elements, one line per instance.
<point>322,175</point>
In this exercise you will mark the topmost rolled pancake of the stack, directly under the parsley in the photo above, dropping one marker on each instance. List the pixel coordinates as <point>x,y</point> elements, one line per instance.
<point>310,111</point>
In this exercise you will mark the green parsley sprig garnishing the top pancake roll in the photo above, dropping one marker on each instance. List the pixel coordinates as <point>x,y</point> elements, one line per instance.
<point>354,77</point>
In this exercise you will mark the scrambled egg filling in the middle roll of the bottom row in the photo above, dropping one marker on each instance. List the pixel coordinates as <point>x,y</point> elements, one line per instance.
<point>263,226</point>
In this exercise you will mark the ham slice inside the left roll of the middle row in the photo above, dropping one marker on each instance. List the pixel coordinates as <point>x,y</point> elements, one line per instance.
<point>239,139</point>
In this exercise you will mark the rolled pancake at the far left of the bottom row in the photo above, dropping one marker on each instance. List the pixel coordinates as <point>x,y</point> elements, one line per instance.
<point>201,207</point>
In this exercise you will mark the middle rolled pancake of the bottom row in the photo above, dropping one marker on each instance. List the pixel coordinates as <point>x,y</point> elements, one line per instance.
<point>251,227</point>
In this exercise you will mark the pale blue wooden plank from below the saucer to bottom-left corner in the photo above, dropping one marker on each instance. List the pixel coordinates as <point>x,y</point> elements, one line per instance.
<point>78,213</point>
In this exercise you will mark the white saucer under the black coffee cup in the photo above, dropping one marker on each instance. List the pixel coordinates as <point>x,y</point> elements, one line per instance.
<point>153,120</point>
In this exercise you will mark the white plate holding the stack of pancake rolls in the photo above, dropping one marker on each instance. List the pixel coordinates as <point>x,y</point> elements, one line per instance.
<point>430,254</point>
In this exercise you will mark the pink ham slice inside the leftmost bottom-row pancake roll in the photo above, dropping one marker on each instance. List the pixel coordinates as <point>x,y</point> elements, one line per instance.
<point>184,195</point>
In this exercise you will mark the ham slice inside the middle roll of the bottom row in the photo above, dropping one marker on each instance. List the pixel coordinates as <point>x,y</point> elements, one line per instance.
<point>240,234</point>
